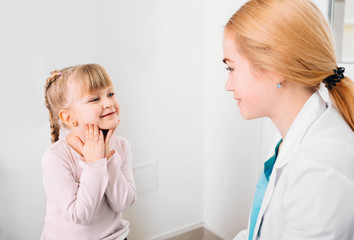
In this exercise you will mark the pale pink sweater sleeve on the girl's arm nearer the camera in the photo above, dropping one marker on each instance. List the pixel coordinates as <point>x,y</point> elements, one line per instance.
<point>79,199</point>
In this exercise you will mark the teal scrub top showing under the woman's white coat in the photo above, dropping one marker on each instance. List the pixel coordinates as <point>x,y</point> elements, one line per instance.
<point>260,190</point>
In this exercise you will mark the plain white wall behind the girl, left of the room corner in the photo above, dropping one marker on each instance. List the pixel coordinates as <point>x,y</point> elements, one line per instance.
<point>153,51</point>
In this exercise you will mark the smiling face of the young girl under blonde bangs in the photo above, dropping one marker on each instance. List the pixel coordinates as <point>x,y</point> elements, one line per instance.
<point>99,107</point>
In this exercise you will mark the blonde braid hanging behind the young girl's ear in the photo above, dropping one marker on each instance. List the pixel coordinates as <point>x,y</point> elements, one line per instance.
<point>50,100</point>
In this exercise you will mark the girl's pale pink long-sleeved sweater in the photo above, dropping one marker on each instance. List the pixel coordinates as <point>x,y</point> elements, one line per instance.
<point>86,201</point>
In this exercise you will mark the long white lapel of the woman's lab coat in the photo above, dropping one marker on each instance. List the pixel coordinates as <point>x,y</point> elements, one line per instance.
<point>314,106</point>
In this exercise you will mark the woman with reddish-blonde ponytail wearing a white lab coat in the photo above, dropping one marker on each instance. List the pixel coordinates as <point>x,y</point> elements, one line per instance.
<point>278,53</point>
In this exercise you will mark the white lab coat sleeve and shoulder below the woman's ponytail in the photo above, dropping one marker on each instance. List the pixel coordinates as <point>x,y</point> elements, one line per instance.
<point>317,200</point>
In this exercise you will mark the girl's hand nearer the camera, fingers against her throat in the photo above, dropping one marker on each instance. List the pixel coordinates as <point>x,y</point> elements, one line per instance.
<point>94,147</point>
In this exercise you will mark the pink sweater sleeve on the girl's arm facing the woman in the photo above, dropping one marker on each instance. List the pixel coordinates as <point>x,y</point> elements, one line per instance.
<point>121,191</point>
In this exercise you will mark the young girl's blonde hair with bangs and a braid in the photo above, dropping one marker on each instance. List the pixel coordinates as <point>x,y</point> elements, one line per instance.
<point>88,77</point>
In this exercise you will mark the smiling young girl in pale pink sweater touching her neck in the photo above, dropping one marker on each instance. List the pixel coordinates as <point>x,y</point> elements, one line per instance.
<point>87,174</point>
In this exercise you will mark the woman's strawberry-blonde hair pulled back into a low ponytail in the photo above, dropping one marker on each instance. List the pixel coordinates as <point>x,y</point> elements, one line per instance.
<point>291,38</point>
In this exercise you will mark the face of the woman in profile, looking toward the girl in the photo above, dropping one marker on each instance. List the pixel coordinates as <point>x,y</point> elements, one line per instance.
<point>254,90</point>
